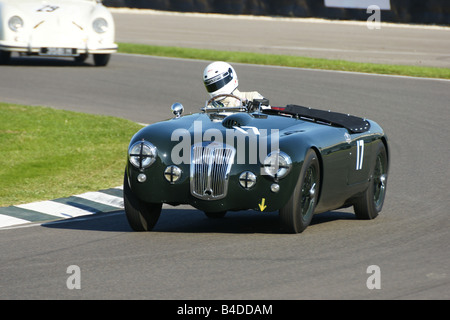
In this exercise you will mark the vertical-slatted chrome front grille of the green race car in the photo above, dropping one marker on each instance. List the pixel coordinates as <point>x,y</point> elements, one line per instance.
<point>210,169</point>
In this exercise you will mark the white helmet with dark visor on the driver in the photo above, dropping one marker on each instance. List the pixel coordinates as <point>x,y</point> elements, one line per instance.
<point>219,78</point>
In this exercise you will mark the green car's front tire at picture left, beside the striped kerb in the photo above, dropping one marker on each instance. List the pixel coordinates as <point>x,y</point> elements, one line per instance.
<point>141,216</point>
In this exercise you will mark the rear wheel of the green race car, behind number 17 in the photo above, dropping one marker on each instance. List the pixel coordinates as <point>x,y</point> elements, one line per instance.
<point>371,201</point>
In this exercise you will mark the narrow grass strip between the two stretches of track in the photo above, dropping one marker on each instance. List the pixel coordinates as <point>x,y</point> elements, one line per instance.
<point>284,60</point>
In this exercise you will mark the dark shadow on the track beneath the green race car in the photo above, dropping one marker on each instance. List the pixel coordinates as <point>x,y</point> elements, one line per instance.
<point>193,221</point>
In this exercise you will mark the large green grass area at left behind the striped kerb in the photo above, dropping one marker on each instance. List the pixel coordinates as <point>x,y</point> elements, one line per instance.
<point>48,154</point>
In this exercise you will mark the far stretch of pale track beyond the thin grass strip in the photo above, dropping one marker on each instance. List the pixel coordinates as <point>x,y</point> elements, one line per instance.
<point>351,40</point>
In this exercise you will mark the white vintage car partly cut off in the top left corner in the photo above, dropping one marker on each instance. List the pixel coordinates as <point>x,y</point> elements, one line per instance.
<point>57,28</point>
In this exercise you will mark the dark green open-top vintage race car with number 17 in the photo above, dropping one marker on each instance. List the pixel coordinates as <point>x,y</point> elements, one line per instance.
<point>294,160</point>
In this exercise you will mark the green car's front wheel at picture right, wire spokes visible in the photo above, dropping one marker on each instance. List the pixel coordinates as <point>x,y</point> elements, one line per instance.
<point>297,214</point>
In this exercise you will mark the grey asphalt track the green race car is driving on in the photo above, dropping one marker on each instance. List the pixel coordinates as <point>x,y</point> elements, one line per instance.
<point>244,255</point>
